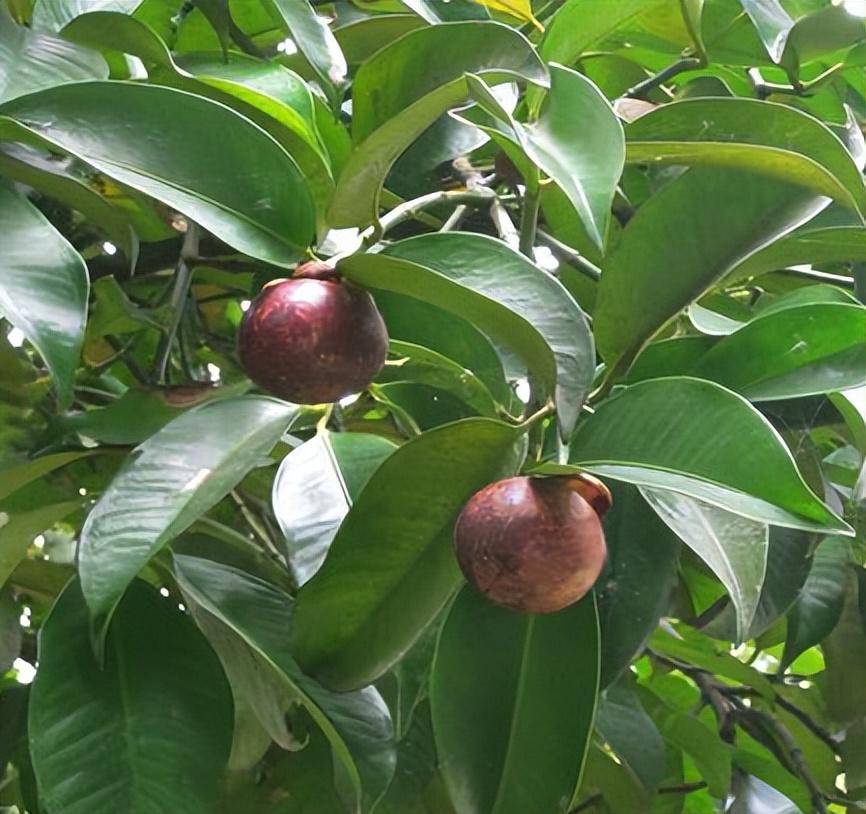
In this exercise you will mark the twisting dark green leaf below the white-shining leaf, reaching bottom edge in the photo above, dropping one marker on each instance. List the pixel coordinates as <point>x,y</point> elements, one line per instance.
<point>357,724</point>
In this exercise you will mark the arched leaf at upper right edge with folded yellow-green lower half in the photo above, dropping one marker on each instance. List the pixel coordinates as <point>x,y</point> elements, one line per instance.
<point>761,137</point>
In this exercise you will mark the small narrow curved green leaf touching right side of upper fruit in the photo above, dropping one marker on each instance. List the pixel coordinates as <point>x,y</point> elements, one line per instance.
<point>414,363</point>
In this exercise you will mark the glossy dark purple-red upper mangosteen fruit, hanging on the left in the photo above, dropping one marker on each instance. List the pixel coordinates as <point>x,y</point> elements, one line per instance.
<point>313,338</point>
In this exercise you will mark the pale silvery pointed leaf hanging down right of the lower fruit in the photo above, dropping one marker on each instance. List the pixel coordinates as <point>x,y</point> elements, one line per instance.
<point>733,547</point>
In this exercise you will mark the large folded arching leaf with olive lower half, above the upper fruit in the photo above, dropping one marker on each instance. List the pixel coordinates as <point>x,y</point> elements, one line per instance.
<point>396,101</point>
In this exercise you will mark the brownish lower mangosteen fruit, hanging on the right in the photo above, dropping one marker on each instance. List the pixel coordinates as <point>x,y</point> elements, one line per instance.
<point>534,544</point>
